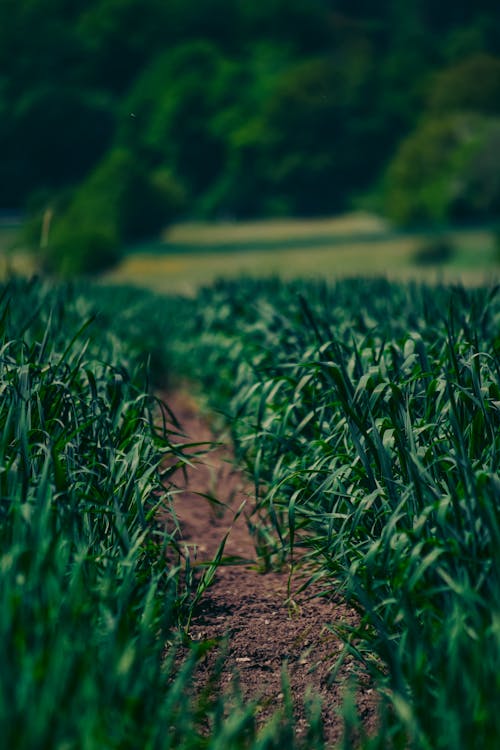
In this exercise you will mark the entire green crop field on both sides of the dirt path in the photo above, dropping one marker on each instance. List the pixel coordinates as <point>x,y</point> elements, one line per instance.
<point>366,413</point>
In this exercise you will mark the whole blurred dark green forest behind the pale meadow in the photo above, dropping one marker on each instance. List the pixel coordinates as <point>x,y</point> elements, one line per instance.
<point>118,117</point>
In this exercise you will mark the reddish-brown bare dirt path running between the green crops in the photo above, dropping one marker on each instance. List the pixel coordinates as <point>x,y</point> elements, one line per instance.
<point>249,607</point>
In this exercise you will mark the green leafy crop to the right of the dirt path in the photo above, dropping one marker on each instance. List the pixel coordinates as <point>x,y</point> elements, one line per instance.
<point>368,415</point>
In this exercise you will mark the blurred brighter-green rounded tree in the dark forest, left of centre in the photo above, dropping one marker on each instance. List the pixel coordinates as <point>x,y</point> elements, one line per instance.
<point>173,104</point>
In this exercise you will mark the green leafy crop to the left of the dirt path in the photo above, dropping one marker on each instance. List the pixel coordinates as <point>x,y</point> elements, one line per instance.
<point>93,595</point>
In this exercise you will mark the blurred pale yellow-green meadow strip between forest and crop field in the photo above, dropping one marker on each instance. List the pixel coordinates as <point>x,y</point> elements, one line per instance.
<point>191,255</point>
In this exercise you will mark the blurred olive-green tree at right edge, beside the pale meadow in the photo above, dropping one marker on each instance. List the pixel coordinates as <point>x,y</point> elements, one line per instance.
<point>447,169</point>
